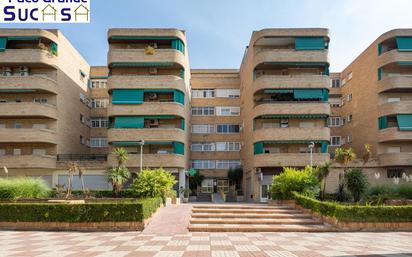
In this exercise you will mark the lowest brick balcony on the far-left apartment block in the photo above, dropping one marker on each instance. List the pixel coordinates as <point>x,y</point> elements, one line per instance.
<point>28,162</point>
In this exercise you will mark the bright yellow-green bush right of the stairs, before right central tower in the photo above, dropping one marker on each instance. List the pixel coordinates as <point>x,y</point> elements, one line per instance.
<point>294,180</point>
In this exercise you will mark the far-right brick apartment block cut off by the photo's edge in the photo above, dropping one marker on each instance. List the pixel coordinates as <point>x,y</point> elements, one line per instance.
<point>376,91</point>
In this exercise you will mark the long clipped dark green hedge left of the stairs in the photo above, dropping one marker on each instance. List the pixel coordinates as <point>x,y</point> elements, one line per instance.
<point>130,210</point>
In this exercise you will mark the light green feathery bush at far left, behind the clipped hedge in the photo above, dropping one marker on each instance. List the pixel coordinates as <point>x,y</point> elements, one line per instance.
<point>23,187</point>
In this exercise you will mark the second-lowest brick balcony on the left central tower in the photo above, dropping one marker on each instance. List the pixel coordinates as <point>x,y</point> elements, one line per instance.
<point>149,134</point>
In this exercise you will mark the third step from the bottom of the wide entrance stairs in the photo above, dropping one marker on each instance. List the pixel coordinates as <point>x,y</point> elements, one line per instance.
<point>251,215</point>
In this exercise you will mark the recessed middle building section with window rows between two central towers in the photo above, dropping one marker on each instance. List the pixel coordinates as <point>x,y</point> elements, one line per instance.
<point>215,127</point>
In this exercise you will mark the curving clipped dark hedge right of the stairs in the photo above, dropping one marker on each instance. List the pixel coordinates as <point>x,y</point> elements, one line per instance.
<point>356,213</point>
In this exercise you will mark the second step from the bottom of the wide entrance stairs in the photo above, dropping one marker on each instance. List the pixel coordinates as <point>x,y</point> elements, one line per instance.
<point>295,221</point>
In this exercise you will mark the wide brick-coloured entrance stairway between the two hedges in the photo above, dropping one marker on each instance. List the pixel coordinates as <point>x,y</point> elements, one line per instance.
<point>252,218</point>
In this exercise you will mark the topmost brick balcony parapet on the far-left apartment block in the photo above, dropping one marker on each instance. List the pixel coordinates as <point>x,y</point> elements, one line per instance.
<point>27,56</point>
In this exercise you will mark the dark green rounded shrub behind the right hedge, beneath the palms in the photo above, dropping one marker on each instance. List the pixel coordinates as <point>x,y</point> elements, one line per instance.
<point>357,183</point>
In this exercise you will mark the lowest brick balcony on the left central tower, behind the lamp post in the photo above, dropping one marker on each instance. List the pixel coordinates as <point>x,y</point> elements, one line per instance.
<point>152,160</point>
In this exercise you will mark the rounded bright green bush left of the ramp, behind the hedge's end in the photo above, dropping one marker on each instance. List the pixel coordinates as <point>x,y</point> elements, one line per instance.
<point>153,183</point>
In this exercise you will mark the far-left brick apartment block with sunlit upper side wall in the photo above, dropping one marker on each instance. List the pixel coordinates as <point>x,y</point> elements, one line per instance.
<point>43,112</point>
